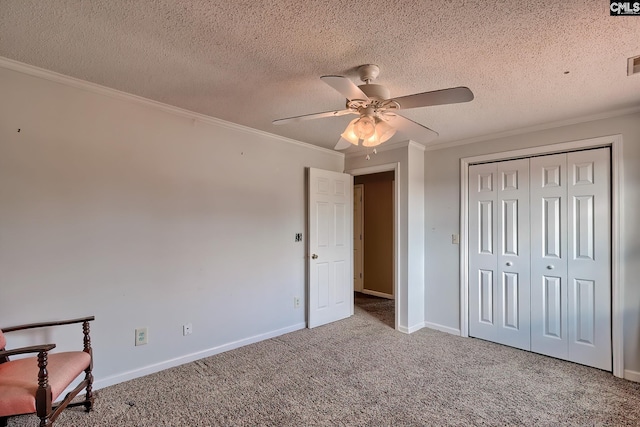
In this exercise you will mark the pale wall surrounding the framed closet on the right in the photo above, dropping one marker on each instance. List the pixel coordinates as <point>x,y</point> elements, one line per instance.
<point>442,200</point>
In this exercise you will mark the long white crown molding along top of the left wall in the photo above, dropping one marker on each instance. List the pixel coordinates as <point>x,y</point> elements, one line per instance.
<point>49,75</point>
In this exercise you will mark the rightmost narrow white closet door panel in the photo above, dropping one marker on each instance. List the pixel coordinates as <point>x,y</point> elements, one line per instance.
<point>589,260</point>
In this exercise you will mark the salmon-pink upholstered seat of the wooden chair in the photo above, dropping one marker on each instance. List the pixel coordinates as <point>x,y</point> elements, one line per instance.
<point>19,379</point>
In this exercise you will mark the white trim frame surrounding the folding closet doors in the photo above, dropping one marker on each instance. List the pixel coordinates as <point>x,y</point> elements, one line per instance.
<point>617,194</point>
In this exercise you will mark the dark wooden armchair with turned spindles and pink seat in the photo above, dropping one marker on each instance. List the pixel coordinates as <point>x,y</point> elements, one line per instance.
<point>32,384</point>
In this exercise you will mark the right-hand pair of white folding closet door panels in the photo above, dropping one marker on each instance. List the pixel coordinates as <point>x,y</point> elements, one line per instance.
<point>570,257</point>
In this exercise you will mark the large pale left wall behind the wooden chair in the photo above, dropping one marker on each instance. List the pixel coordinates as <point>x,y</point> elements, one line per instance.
<point>145,217</point>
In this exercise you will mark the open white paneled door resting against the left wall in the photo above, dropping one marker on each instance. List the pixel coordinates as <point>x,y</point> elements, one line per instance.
<point>330,253</point>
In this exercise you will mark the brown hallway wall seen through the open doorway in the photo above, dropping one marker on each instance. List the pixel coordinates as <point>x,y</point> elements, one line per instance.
<point>378,231</point>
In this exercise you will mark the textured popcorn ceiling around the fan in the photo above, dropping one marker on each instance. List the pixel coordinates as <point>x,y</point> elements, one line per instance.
<point>253,61</point>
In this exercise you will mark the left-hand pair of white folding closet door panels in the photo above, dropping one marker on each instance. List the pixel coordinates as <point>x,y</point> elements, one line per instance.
<point>499,273</point>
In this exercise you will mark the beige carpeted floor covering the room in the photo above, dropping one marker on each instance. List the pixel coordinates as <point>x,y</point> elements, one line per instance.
<point>361,372</point>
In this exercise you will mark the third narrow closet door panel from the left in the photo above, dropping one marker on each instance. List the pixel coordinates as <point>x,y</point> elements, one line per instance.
<point>549,255</point>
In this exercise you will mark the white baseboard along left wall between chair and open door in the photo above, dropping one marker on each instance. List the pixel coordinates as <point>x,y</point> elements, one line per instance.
<point>181,360</point>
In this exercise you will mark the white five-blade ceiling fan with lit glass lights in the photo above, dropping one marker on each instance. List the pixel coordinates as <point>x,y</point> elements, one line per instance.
<point>378,118</point>
